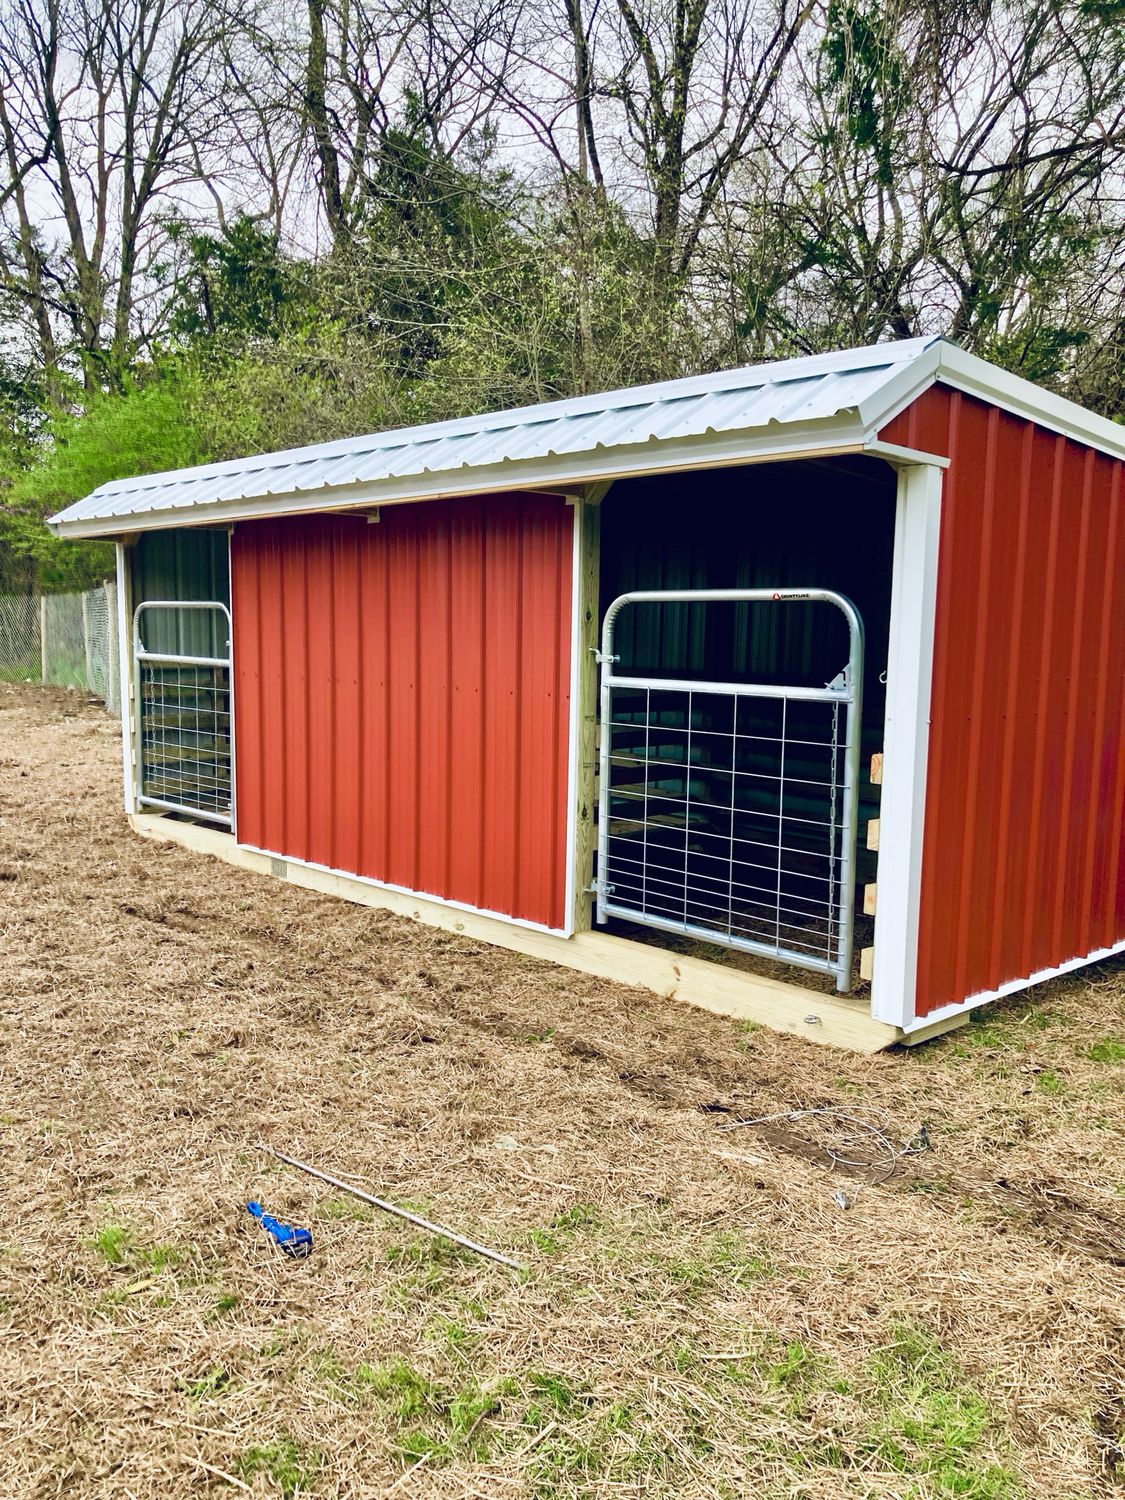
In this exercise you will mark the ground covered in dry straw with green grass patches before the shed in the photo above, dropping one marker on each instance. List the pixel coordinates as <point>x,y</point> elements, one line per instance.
<point>700,1316</point>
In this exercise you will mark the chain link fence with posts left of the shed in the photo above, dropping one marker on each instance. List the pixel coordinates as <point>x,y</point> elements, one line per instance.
<point>68,640</point>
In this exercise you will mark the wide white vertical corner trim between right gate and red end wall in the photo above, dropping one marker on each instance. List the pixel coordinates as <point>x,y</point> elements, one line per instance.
<point>907,745</point>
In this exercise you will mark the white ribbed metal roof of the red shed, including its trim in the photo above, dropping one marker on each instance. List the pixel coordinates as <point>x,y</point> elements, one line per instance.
<point>824,403</point>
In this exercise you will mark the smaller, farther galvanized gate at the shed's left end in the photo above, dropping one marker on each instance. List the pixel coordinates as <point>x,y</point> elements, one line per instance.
<point>184,713</point>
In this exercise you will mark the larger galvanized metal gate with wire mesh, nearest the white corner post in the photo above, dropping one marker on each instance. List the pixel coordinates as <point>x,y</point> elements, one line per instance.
<point>728,811</point>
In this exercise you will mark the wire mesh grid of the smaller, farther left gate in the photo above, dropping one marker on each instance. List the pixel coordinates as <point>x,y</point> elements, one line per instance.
<point>187,737</point>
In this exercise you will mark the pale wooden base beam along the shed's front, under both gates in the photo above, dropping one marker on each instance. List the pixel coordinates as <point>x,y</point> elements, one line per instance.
<point>829,1021</point>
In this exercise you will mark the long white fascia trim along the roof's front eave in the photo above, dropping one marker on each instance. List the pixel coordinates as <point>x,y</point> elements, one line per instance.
<point>707,451</point>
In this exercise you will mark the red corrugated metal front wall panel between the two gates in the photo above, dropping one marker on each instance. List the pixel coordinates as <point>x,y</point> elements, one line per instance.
<point>403,697</point>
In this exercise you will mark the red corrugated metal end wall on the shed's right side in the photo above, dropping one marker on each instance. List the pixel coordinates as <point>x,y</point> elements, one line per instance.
<point>1025,809</point>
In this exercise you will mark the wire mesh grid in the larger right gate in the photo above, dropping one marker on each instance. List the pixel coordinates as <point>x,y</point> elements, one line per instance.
<point>725,814</point>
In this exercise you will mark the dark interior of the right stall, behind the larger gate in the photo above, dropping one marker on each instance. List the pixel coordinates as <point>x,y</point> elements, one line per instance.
<point>709,775</point>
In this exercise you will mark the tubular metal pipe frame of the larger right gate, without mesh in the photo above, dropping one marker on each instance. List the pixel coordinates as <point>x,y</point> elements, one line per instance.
<point>851,697</point>
